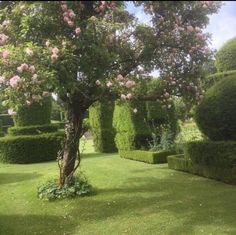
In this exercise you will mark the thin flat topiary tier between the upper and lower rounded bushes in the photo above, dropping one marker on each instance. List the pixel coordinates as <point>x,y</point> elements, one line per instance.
<point>212,79</point>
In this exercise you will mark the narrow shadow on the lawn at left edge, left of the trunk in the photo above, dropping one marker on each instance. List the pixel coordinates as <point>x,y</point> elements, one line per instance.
<point>8,178</point>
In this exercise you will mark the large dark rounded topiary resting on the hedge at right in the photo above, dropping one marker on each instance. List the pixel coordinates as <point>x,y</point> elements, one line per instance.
<point>215,116</point>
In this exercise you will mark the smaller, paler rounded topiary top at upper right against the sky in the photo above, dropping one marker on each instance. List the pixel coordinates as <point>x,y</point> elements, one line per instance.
<point>226,56</point>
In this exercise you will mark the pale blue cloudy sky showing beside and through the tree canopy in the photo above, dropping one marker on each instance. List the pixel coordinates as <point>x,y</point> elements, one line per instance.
<point>222,25</point>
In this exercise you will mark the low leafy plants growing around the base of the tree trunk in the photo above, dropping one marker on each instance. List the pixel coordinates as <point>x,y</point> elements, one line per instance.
<point>77,188</point>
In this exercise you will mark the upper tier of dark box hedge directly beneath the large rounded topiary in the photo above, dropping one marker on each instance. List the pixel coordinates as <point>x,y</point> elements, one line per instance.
<point>212,153</point>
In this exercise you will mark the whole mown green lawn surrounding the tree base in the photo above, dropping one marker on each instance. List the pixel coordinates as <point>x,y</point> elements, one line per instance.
<point>132,198</point>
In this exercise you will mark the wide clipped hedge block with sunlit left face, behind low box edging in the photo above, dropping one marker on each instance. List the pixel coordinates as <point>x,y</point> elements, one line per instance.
<point>132,132</point>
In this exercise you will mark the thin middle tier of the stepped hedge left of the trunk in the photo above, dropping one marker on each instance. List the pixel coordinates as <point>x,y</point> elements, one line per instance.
<point>33,130</point>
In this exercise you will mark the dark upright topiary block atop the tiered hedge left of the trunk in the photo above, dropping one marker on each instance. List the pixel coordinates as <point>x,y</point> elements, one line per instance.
<point>35,114</point>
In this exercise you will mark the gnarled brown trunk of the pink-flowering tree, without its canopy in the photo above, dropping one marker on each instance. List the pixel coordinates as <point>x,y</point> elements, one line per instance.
<point>73,132</point>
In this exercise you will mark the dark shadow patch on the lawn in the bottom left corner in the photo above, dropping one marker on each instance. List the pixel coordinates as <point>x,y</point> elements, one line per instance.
<point>35,224</point>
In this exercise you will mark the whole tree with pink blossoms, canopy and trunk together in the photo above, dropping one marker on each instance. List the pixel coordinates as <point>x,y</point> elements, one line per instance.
<point>86,51</point>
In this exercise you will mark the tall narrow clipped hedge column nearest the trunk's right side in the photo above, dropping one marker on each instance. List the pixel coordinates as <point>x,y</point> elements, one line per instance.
<point>100,120</point>
